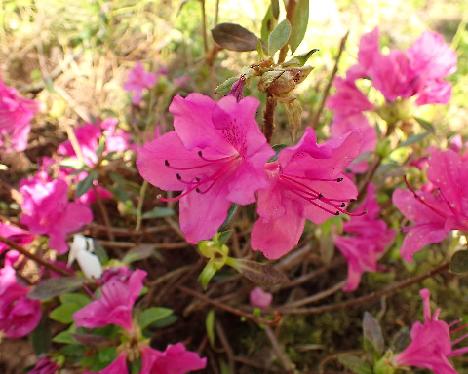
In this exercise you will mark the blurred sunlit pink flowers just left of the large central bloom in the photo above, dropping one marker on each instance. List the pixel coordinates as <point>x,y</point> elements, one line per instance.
<point>88,136</point>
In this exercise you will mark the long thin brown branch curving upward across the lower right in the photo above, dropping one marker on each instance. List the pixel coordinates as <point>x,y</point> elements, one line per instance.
<point>371,297</point>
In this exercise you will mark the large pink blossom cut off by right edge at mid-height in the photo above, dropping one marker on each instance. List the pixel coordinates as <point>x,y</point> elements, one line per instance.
<point>436,211</point>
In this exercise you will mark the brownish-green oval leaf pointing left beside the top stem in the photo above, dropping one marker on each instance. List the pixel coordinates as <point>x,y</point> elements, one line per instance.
<point>234,37</point>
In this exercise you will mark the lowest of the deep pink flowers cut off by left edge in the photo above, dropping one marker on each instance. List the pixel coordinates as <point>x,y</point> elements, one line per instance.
<point>19,315</point>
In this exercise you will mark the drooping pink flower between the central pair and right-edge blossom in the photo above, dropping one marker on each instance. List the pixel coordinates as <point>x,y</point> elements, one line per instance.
<point>368,236</point>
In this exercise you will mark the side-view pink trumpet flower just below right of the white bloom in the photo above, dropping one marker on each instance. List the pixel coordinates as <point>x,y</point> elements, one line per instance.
<point>115,304</point>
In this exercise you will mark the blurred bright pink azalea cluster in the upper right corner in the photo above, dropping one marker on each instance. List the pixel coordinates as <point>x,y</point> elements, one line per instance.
<point>417,76</point>
